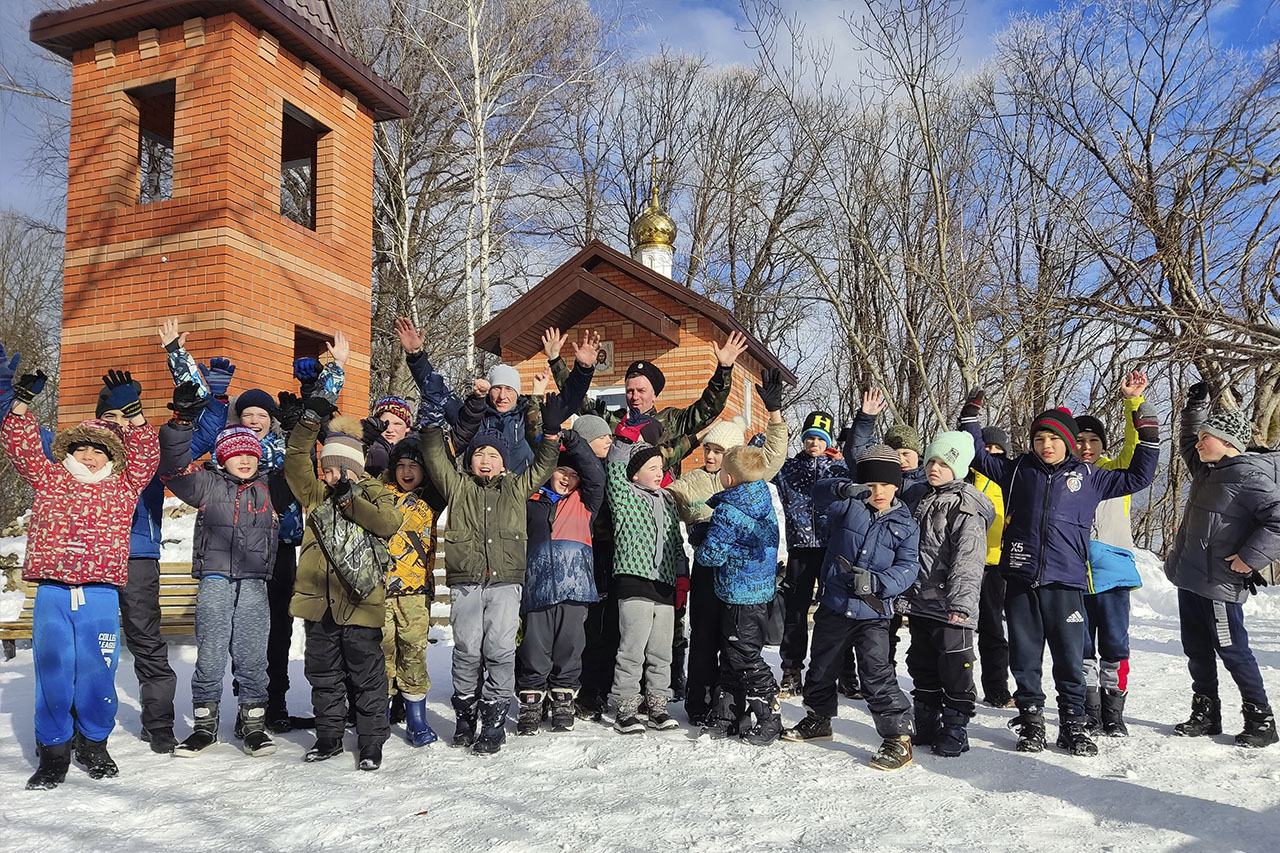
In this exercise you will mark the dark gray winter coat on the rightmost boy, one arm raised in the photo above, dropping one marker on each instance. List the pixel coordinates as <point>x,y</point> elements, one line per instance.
<point>1233,509</point>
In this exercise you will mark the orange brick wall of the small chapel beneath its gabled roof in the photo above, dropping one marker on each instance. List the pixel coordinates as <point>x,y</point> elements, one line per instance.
<point>688,367</point>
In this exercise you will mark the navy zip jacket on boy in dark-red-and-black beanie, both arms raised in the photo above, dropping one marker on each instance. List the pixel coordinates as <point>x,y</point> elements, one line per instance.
<point>1049,510</point>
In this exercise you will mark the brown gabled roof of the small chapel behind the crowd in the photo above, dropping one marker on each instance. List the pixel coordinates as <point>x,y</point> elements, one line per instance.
<point>573,291</point>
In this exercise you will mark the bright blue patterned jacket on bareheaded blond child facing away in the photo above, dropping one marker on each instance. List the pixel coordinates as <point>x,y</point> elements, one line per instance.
<point>743,545</point>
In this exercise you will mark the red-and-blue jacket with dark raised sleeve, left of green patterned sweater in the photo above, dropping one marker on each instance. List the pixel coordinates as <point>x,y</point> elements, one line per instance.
<point>560,564</point>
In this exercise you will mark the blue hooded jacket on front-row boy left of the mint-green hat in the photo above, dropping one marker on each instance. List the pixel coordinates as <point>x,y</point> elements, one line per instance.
<point>885,544</point>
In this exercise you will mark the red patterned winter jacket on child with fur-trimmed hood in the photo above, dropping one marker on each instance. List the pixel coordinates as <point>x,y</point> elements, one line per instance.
<point>80,533</point>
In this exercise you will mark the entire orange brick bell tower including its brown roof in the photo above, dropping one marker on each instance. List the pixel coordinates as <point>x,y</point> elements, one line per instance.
<point>221,172</point>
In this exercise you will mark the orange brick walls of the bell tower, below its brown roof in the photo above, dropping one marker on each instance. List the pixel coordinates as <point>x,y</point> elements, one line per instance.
<point>218,256</point>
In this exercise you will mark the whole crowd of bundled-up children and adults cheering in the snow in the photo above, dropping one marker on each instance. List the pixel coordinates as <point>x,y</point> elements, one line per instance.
<point>568,568</point>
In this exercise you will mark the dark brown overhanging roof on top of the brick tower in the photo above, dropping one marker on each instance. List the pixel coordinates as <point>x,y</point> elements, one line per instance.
<point>305,29</point>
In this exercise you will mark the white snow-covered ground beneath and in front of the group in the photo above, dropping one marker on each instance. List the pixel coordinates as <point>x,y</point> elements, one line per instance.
<point>596,791</point>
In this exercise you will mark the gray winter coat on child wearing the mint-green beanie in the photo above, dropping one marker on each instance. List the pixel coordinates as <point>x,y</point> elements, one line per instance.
<point>954,519</point>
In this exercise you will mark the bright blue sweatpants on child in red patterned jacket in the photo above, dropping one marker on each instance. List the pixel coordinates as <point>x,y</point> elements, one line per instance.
<point>75,642</point>
